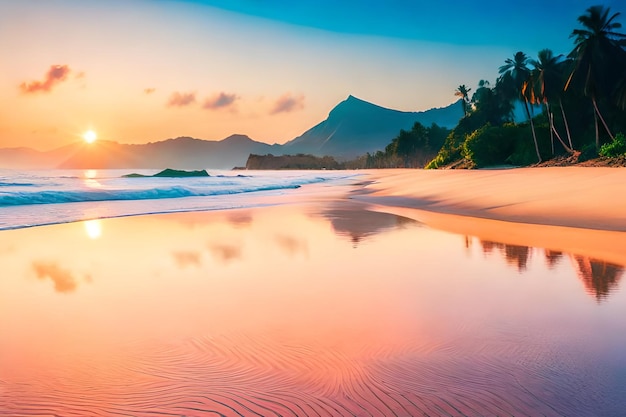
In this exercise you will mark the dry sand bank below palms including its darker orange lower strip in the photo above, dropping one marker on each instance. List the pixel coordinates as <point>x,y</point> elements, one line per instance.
<point>570,209</point>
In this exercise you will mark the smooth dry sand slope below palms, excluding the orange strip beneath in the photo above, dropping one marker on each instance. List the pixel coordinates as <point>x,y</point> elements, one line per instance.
<point>591,198</point>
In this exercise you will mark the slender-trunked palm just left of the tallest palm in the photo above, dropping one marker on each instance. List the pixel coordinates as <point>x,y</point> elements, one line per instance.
<point>547,76</point>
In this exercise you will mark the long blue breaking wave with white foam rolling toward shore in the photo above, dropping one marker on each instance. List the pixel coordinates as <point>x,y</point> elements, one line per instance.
<point>76,196</point>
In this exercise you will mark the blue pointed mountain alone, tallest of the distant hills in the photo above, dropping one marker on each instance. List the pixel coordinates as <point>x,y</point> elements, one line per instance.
<point>355,127</point>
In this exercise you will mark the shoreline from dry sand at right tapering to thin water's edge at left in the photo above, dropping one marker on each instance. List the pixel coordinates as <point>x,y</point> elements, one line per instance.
<point>588,198</point>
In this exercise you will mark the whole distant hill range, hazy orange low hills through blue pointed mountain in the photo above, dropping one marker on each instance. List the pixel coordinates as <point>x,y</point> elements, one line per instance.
<point>353,128</point>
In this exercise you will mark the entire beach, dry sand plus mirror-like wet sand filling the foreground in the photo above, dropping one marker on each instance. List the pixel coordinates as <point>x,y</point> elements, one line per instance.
<point>396,292</point>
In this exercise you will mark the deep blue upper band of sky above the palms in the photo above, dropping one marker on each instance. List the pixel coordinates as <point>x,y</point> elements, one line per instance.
<point>531,24</point>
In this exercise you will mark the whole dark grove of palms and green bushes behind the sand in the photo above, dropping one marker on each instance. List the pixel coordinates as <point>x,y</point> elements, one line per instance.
<point>580,100</point>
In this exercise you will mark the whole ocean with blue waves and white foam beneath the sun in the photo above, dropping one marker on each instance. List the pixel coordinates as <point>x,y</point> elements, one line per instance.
<point>43,197</point>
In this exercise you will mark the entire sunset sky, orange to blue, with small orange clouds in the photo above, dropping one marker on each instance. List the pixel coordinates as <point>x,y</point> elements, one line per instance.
<point>137,71</point>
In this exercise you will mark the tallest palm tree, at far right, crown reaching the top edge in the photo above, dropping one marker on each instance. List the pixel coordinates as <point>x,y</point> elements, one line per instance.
<point>596,47</point>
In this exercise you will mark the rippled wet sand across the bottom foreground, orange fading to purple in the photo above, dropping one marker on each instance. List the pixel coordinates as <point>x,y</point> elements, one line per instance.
<point>242,376</point>
